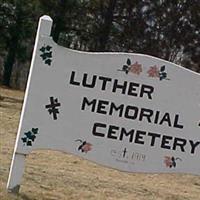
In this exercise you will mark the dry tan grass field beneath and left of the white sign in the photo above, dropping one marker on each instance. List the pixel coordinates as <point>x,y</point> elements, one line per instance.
<point>57,176</point>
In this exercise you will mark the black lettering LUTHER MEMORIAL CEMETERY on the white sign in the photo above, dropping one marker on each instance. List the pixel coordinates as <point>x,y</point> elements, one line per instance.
<point>131,112</point>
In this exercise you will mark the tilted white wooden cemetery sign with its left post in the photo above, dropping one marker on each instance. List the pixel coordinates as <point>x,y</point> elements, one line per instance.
<point>131,112</point>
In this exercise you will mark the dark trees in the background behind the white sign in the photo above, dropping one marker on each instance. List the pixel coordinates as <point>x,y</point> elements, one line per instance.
<point>168,29</point>
